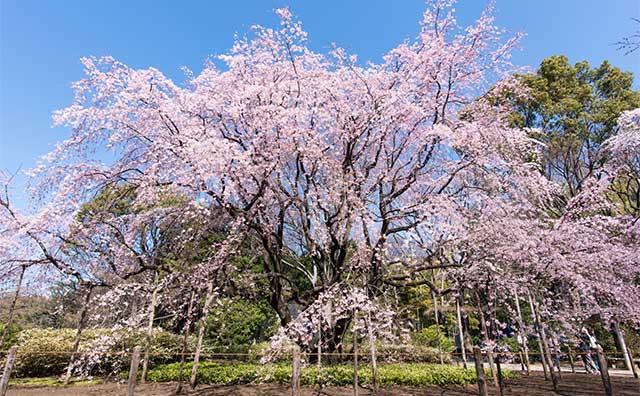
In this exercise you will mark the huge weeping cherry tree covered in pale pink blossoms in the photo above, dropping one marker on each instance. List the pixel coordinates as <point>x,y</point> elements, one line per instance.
<point>360,179</point>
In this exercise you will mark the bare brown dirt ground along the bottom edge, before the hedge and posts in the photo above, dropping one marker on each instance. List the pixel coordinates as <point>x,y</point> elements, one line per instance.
<point>534,385</point>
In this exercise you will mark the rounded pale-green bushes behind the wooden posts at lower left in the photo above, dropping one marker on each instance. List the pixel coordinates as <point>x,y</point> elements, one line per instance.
<point>45,352</point>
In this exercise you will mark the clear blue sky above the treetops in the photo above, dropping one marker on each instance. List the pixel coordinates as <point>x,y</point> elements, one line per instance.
<point>42,41</point>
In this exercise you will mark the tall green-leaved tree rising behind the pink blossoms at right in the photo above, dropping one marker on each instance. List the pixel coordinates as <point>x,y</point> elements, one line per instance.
<point>574,109</point>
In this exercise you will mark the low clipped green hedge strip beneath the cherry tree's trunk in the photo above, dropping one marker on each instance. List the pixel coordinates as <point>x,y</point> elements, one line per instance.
<point>408,374</point>
